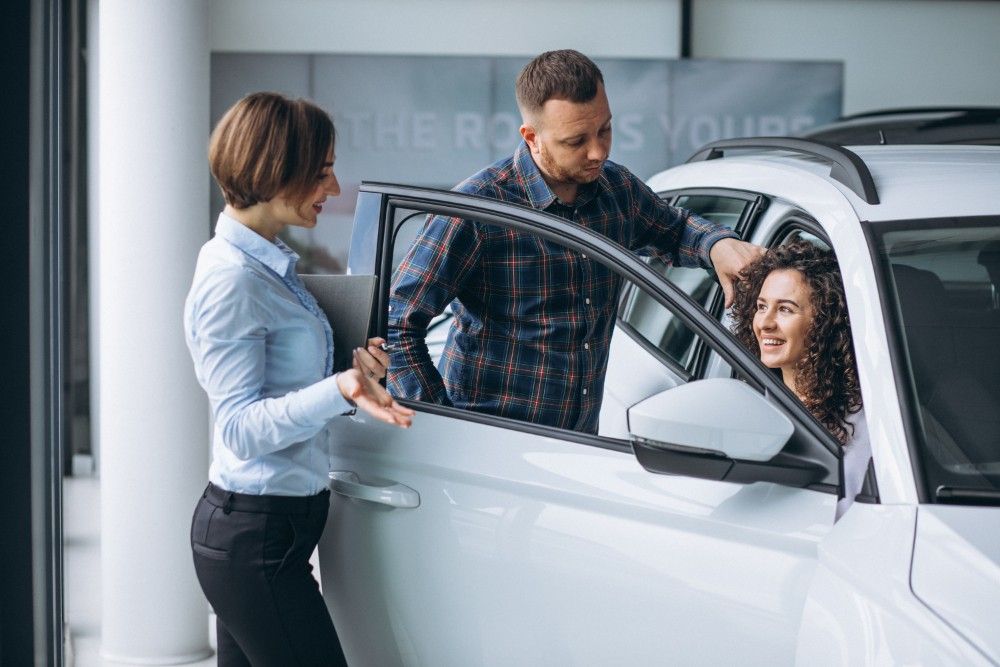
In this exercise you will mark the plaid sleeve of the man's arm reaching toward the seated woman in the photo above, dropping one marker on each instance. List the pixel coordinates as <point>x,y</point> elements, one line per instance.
<point>678,235</point>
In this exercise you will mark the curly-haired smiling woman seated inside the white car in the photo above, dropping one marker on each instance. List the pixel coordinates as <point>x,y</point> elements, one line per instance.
<point>789,306</point>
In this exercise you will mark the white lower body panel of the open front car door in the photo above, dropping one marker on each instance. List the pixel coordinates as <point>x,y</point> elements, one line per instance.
<point>534,550</point>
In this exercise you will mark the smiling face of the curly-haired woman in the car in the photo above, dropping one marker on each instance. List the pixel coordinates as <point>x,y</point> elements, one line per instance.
<point>782,320</point>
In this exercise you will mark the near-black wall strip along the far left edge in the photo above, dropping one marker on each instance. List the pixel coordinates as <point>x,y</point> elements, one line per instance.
<point>16,594</point>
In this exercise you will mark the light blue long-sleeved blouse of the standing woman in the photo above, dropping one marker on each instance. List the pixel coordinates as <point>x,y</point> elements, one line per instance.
<point>263,351</point>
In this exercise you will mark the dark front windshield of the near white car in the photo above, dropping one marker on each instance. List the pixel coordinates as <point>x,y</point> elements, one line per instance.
<point>944,276</point>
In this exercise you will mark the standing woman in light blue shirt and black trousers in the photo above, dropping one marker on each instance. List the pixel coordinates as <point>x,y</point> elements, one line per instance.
<point>263,351</point>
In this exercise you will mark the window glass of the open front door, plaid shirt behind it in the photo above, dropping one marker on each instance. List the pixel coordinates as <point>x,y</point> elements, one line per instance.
<point>524,331</point>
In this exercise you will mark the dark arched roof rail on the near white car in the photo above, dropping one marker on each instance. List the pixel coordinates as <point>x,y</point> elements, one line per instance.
<point>848,168</point>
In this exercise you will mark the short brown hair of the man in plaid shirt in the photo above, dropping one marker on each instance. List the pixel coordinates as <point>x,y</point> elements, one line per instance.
<point>557,75</point>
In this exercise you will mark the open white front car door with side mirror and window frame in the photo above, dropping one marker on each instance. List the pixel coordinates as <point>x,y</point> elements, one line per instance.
<point>471,539</point>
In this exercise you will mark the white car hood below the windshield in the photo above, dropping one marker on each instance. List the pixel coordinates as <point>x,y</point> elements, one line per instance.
<point>956,570</point>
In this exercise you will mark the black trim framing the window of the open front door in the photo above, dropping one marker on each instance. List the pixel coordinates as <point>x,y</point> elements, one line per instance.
<point>601,249</point>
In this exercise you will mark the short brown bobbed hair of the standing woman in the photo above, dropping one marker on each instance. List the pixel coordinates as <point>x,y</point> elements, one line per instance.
<point>268,144</point>
